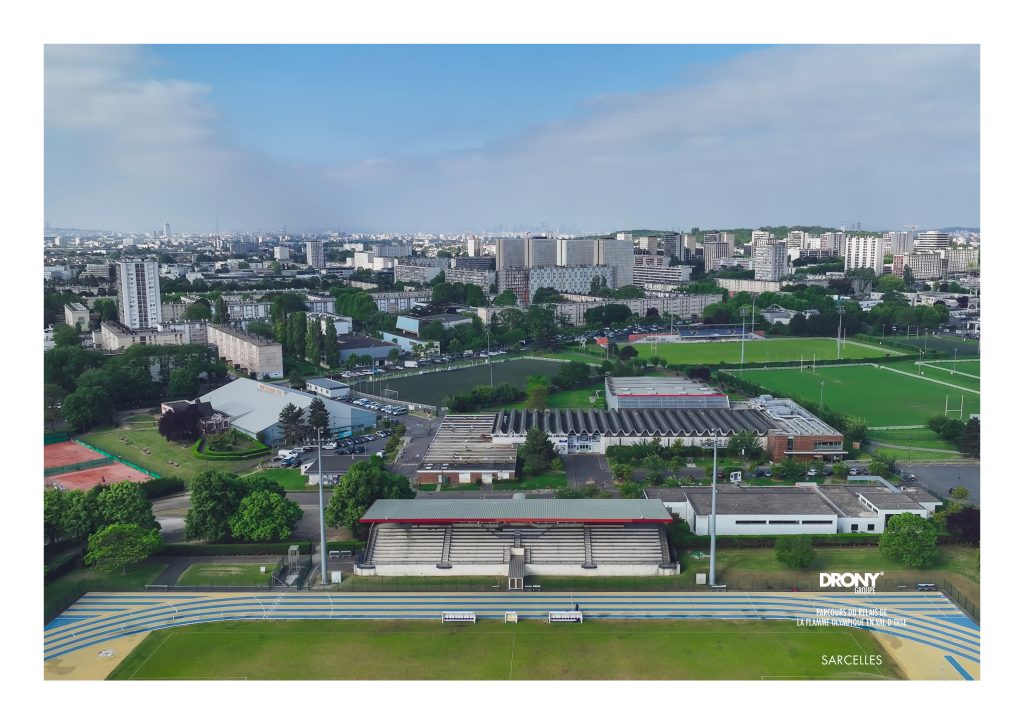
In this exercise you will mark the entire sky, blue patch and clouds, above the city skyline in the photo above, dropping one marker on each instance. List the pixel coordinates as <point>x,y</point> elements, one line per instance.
<point>466,139</point>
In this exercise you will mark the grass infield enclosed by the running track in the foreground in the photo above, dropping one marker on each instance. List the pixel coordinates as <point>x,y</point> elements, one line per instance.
<point>493,651</point>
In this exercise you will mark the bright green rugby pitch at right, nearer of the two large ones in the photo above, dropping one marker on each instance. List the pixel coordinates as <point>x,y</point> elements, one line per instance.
<point>880,397</point>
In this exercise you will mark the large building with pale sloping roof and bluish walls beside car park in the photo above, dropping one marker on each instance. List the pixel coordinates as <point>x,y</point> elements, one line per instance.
<point>254,409</point>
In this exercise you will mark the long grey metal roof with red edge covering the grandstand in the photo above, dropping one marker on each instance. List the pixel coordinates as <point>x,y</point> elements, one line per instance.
<point>517,510</point>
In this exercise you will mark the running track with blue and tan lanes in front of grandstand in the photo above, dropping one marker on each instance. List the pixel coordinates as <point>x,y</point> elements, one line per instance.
<point>928,619</point>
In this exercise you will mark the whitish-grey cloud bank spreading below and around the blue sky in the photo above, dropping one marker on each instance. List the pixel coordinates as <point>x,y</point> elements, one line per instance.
<point>882,135</point>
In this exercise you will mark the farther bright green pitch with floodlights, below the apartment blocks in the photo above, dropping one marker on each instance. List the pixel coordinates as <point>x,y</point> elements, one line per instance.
<point>766,351</point>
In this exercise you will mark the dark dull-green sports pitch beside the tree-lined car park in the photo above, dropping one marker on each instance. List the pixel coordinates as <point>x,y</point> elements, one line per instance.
<point>433,388</point>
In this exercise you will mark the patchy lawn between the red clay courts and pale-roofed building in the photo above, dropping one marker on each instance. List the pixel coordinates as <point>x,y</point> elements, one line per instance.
<point>161,453</point>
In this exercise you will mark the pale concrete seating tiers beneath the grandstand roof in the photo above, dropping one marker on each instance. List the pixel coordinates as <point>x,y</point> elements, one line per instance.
<point>451,546</point>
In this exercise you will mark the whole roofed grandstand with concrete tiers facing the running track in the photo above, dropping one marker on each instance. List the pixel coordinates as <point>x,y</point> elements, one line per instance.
<point>517,538</point>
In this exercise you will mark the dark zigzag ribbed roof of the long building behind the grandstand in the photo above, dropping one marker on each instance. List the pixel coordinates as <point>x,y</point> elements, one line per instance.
<point>633,422</point>
